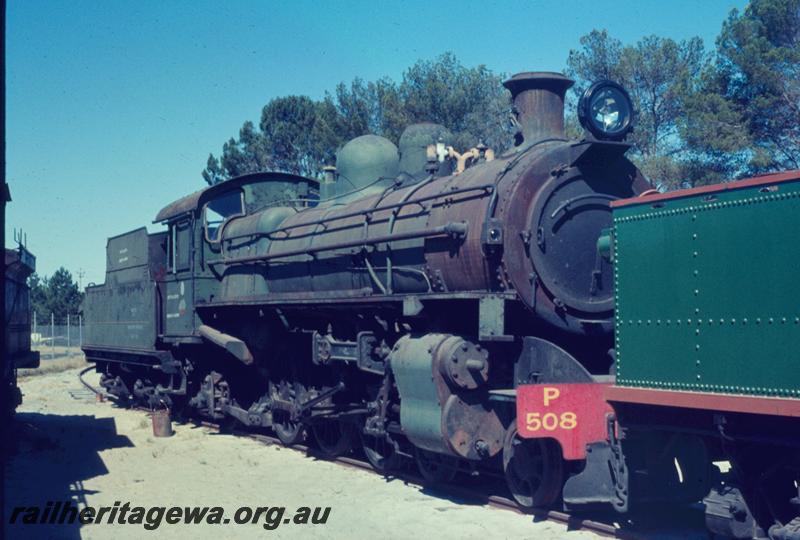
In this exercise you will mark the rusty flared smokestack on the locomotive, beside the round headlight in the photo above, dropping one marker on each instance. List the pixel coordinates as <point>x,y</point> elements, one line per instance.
<point>538,98</point>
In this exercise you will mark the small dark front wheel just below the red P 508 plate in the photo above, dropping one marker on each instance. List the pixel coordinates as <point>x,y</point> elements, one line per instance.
<point>533,469</point>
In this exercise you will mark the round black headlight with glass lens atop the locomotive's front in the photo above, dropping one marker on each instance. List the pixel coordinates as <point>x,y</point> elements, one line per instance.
<point>606,111</point>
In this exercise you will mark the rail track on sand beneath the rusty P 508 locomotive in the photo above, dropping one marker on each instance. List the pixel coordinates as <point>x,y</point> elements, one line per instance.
<point>607,528</point>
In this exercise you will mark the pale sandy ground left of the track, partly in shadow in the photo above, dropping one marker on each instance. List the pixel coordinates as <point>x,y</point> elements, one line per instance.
<point>72,448</point>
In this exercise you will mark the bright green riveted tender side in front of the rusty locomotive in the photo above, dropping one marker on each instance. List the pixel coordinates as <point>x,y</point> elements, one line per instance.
<point>708,294</point>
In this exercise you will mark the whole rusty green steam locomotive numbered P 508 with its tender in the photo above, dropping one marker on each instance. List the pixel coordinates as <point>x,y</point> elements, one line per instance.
<point>400,311</point>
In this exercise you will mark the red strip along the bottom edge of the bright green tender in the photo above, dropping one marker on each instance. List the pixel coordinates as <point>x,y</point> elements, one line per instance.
<point>703,400</point>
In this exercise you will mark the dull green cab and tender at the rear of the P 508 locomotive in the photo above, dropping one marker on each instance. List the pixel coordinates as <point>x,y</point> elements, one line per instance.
<point>144,313</point>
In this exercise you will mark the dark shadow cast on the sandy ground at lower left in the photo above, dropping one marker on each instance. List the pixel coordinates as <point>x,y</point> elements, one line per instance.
<point>48,458</point>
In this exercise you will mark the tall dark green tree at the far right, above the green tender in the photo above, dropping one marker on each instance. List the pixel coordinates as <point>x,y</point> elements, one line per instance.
<point>743,116</point>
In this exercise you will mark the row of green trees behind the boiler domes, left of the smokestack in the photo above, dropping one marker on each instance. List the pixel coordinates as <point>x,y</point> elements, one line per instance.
<point>298,134</point>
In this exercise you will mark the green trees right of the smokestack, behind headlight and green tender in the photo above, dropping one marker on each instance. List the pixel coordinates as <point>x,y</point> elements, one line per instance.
<point>708,118</point>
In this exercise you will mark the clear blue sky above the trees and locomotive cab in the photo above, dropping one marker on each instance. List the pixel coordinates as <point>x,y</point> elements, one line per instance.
<point>114,106</point>
